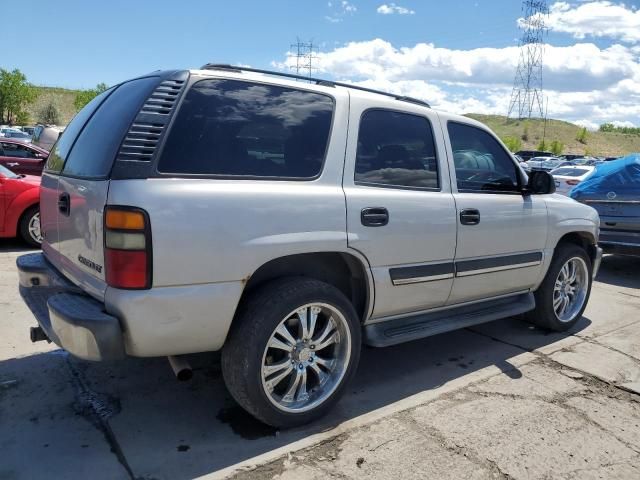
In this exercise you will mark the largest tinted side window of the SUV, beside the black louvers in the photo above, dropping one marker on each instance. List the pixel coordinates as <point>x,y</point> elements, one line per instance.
<point>236,128</point>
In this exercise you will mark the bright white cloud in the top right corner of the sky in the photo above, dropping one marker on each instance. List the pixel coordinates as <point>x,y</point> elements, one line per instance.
<point>596,19</point>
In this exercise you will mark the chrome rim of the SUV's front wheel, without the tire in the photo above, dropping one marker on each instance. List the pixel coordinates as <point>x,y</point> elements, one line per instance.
<point>570,289</point>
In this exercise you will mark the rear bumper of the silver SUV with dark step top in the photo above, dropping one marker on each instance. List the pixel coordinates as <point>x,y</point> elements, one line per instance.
<point>71,319</point>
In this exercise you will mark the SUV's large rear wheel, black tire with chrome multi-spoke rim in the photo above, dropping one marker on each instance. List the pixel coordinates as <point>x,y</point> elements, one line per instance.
<point>293,348</point>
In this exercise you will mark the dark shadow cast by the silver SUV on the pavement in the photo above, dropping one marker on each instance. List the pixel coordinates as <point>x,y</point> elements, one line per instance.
<point>161,428</point>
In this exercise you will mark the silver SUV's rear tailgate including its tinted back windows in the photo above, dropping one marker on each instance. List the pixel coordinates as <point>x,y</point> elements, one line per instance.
<point>82,160</point>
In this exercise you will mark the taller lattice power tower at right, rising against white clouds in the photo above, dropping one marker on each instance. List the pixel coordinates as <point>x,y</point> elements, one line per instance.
<point>526,96</point>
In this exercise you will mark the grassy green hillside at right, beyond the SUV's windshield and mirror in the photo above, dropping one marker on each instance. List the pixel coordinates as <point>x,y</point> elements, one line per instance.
<point>606,144</point>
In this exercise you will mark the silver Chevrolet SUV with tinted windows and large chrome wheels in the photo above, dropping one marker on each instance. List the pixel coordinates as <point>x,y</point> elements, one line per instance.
<point>286,223</point>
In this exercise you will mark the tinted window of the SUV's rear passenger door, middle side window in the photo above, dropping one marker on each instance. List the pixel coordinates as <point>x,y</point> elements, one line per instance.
<point>396,149</point>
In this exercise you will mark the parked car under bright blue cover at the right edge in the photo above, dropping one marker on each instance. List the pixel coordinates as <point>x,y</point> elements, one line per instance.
<point>613,189</point>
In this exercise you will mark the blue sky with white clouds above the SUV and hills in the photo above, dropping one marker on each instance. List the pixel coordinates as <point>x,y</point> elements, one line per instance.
<point>459,55</point>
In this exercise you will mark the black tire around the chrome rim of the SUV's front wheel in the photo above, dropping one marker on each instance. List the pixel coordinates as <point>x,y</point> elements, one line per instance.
<point>544,314</point>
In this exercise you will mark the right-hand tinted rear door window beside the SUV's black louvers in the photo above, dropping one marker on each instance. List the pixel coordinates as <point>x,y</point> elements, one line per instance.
<point>94,151</point>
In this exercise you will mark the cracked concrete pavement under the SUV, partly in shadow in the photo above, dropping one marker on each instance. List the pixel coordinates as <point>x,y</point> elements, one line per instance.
<point>500,400</point>
